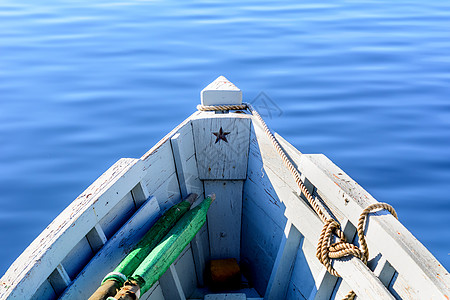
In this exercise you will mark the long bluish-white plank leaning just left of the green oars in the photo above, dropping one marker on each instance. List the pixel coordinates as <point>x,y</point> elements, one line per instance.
<point>113,252</point>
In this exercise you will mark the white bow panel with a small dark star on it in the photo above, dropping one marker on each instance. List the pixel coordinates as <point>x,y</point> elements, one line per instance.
<point>221,145</point>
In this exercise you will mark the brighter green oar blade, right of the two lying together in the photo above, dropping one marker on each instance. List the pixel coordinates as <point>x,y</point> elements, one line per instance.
<point>171,246</point>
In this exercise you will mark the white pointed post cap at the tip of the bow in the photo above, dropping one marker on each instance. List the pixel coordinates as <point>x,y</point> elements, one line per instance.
<point>221,91</point>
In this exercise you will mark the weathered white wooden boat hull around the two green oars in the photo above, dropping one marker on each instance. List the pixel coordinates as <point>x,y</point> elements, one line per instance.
<point>258,217</point>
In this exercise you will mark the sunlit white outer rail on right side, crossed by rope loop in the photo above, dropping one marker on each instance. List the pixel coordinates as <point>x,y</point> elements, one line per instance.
<point>399,247</point>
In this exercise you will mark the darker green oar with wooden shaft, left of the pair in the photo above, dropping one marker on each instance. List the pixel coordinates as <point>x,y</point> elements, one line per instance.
<point>115,280</point>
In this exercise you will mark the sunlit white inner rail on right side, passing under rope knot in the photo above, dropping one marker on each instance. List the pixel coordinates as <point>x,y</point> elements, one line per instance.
<point>307,221</point>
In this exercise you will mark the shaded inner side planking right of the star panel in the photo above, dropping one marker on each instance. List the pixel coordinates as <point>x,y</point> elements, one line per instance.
<point>263,222</point>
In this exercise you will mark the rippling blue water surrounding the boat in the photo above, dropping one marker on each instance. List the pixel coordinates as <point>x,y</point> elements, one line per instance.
<point>84,83</point>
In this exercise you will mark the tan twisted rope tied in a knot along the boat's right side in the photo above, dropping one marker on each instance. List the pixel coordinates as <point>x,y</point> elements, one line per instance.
<point>325,250</point>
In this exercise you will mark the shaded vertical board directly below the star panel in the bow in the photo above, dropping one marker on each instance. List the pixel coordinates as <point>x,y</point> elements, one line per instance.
<point>225,236</point>
